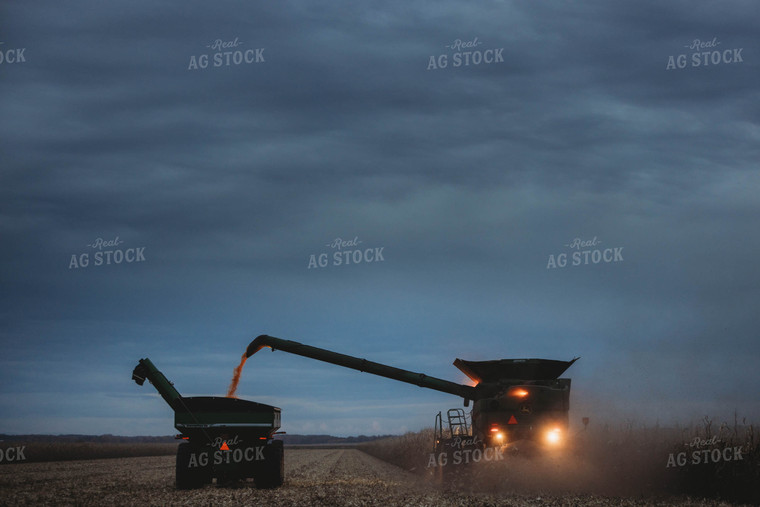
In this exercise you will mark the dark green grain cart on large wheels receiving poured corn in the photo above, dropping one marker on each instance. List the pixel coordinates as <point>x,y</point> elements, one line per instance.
<point>225,438</point>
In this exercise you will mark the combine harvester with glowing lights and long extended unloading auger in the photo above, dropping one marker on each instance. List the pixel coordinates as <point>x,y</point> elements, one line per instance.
<point>514,399</point>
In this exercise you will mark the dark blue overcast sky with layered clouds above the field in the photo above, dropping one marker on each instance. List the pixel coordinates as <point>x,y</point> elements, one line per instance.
<point>468,182</point>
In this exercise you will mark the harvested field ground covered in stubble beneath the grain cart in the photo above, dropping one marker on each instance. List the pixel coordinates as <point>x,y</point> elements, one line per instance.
<point>341,477</point>
